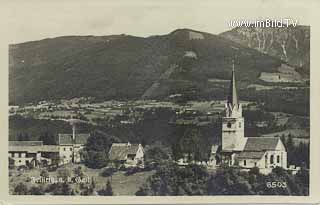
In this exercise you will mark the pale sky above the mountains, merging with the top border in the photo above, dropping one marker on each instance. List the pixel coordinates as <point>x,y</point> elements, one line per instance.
<point>38,19</point>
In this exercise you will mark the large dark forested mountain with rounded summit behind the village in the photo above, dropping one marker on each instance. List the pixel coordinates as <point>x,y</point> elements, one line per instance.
<point>128,67</point>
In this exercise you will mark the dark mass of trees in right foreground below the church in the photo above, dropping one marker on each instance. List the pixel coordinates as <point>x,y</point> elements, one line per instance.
<point>170,179</point>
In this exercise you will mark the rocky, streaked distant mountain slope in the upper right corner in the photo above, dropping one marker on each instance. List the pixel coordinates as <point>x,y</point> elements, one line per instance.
<point>291,44</point>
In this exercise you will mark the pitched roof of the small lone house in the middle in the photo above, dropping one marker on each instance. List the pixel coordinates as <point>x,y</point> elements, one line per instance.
<point>120,151</point>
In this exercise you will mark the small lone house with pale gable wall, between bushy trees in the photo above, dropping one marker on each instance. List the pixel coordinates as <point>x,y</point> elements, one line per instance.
<point>127,154</point>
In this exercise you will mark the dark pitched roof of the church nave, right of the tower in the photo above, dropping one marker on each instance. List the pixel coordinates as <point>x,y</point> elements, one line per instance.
<point>261,143</point>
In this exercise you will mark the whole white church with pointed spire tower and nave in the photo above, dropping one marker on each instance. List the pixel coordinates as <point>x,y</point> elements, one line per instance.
<point>237,150</point>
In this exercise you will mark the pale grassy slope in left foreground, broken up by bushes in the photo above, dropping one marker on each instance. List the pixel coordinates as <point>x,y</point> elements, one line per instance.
<point>121,184</point>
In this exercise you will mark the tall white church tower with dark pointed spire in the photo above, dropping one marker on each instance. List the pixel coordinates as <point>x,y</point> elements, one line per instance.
<point>233,123</point>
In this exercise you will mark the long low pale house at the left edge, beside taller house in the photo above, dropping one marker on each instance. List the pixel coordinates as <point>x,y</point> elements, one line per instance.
<point>32,153</point>
